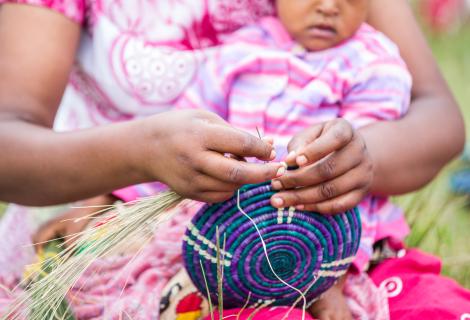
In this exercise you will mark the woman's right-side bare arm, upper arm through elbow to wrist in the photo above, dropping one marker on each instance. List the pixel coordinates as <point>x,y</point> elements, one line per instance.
<point>408,153</point>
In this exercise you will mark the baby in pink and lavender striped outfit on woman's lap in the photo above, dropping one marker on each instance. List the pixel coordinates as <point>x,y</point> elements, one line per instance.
<point>316,63</point>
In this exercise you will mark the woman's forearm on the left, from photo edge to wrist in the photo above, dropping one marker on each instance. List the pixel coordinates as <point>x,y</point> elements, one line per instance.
<point>42,167</point>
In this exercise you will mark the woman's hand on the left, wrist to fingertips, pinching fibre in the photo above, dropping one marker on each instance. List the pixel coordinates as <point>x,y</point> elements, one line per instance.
<point>187,150</point>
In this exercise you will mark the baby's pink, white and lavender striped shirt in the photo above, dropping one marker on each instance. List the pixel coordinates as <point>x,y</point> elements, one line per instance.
<point>260,78</point>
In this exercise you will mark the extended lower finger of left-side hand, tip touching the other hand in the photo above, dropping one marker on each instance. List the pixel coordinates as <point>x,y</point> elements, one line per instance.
<point>238,172</point>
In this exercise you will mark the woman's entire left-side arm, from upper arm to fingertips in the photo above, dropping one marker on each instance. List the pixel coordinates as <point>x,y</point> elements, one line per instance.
<point>41,167</point>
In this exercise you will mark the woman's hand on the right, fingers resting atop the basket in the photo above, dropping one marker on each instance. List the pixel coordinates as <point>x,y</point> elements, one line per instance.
<point>335,172</point>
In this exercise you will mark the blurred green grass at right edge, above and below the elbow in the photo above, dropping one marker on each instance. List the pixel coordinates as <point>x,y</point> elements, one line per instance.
<point>440,220</point>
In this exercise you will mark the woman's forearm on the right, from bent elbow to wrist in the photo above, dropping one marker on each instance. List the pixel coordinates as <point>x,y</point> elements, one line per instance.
<point>408,153</point>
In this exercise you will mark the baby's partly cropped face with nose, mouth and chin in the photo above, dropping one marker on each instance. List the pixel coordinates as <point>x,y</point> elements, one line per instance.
<point>321,24</point>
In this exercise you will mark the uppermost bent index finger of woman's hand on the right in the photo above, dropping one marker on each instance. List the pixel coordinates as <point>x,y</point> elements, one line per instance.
<point>333,138</point>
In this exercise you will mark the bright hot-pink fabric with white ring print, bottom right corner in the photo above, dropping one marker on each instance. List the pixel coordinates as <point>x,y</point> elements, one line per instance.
<point>417,291</point>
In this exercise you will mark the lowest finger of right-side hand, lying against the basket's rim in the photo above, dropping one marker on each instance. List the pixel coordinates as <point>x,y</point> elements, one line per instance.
<point>353,179</point>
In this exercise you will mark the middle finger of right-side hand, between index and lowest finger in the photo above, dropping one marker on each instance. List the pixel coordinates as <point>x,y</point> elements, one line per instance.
<point>330,167</point>
